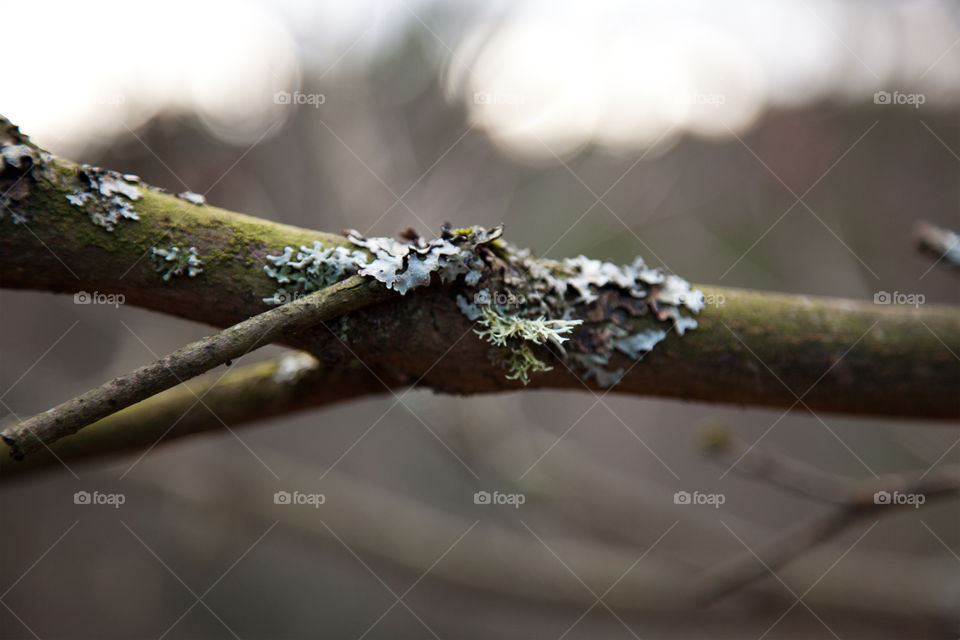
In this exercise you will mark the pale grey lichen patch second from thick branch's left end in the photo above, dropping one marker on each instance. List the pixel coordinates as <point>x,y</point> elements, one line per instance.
<point>106,196</point>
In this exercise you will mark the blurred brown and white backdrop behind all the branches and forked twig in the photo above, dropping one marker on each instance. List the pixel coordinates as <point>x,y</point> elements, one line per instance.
<point>779,145</point>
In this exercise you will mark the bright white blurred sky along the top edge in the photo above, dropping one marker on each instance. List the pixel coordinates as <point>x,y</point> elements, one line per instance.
<point>543,78</point>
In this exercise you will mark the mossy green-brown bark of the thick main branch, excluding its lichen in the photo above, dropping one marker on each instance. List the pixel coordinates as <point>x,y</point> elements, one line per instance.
<point>858,357</point>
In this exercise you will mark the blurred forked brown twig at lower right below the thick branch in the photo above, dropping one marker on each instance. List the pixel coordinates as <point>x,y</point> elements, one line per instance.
<point>855,501</point>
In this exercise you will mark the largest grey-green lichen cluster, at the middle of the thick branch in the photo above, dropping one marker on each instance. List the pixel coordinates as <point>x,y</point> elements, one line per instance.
<point>520,302</point>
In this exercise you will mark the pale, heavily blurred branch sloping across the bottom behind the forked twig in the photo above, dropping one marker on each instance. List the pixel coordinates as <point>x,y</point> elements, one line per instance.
<point>506,559</point>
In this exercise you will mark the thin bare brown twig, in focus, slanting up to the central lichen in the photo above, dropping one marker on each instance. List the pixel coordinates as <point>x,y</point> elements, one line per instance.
<point>34,433</point>
